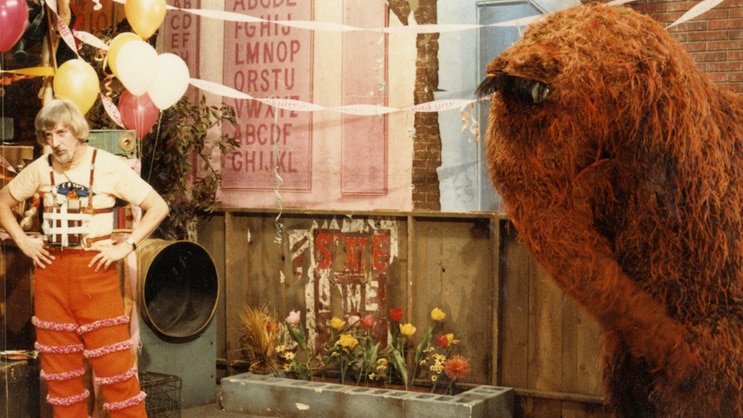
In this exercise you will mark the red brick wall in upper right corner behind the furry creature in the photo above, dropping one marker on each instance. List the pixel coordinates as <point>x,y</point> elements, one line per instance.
<point>714,39</point>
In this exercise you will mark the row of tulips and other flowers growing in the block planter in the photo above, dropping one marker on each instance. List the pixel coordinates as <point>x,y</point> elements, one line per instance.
<point>354,352</point>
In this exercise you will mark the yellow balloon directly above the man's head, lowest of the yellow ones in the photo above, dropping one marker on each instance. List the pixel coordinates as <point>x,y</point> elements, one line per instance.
<point>77,80</point>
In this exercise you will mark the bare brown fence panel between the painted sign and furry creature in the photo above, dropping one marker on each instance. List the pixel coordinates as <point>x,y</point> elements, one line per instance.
<point>453,271</point>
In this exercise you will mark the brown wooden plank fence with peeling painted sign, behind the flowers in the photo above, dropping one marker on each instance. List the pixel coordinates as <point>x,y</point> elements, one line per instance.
<point>515,325</point>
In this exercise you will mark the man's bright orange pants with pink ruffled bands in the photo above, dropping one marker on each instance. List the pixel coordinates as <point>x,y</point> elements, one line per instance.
<point>79,314</point>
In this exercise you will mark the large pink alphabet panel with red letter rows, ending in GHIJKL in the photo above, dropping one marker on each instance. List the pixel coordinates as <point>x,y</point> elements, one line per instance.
<point>269,60</point>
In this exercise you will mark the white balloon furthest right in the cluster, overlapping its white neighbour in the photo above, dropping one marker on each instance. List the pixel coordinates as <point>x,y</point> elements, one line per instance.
<point>171,81</point>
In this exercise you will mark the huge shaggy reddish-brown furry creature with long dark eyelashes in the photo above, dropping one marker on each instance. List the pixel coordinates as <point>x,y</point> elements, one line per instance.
<point>621,166</point>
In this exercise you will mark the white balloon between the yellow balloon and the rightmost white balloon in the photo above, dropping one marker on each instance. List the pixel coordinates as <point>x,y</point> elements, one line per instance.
<point>136,66</point>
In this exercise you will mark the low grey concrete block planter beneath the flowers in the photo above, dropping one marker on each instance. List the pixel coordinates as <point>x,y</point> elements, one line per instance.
<point>269,396</point>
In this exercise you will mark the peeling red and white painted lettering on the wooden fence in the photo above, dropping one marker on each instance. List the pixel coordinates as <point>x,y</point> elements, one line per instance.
<point>348,268</point>
